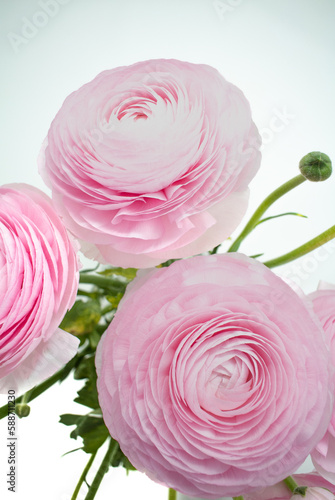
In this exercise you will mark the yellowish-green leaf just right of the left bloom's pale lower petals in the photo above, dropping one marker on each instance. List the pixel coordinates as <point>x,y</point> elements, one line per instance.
<point>82,317</point>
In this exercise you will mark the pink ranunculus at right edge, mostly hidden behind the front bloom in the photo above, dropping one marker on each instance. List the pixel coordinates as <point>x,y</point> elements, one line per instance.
<point>323,455</point>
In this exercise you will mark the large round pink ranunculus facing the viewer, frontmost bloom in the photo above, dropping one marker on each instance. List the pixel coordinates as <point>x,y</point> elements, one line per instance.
<point>214,376</point>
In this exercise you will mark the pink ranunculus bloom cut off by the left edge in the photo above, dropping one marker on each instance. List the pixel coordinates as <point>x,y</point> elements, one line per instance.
<point>39,281</point>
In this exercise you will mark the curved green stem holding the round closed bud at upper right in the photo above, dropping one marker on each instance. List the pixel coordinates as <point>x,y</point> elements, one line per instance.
<point>269,200</point>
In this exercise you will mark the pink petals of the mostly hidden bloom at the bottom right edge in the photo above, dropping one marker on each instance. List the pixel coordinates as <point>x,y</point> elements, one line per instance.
<point>280,491</point>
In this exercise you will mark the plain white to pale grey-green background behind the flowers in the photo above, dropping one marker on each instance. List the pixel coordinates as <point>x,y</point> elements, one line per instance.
<point>279,52</point>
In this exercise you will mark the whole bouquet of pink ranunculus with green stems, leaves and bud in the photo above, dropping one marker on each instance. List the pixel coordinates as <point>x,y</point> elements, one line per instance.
<point>200,366</point>
